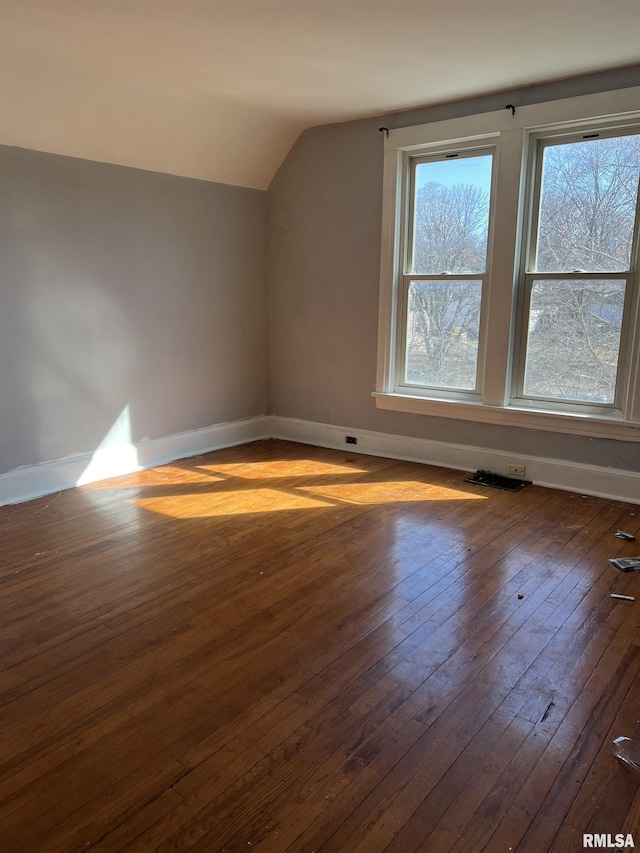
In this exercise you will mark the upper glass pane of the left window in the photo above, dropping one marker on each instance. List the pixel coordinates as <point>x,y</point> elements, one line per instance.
<point>451,215</point>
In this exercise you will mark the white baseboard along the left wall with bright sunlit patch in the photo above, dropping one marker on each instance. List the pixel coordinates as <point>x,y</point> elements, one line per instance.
<point>34,481</point>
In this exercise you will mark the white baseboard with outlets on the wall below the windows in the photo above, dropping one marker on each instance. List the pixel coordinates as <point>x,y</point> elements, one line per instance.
<point>555,473</point>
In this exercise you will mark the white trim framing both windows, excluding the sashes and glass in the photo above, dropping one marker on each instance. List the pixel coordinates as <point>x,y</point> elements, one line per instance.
<point>512,134</point>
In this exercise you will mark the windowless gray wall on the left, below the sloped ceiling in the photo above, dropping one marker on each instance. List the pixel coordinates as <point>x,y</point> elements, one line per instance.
<point>124,288</point>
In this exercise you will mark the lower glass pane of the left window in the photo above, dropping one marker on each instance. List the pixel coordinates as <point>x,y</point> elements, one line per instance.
<point>443,321</point>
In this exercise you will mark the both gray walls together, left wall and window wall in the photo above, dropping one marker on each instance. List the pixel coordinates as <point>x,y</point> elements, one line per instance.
<point>122,288</point>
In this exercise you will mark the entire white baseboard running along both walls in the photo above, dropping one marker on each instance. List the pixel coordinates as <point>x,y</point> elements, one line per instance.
<point>35,481</point>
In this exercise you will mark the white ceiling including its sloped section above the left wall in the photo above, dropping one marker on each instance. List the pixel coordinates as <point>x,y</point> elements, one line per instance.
<point>221,89</point>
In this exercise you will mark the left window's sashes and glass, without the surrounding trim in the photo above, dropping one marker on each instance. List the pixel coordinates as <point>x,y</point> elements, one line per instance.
<point>446,270</point>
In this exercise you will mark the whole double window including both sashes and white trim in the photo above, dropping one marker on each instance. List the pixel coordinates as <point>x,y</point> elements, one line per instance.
<point>509,285</point>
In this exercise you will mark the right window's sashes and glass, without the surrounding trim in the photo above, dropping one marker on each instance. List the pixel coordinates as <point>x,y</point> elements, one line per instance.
<point>580,267</point>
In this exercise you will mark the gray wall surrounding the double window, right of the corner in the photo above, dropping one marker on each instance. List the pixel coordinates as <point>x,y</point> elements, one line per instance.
<point>324,257</point>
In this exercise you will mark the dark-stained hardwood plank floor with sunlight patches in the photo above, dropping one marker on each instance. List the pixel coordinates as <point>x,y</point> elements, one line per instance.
<point>286,648</point>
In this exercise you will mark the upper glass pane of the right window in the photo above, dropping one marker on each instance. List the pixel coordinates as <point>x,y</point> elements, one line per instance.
<point>588,204</point>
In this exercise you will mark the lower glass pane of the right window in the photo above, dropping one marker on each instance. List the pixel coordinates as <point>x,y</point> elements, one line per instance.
<point>574,339</point>
